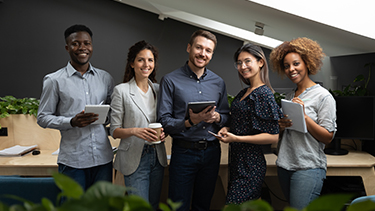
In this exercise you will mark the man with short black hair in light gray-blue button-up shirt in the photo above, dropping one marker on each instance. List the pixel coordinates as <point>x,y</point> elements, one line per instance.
<point>85,151</point>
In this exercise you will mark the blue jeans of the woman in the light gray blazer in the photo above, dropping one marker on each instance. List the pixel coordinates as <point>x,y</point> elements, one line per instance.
<point>147,180</point>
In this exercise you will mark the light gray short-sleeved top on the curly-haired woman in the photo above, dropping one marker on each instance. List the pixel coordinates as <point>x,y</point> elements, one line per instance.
<point>301,150</point>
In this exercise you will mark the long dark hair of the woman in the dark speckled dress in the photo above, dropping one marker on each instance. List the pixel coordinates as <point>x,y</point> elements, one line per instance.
<point>258,53</point>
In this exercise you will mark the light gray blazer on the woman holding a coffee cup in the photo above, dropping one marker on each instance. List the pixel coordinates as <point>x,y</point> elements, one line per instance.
<point>127,111</point>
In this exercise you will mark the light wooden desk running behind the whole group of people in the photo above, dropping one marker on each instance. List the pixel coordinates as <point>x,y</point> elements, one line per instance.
<point>356,163</point>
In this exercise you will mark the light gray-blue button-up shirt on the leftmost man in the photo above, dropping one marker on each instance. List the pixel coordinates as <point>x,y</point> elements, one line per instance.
<point>65,94</point>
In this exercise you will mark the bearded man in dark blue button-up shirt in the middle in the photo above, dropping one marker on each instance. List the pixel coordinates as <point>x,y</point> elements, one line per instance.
<point>195,152</point>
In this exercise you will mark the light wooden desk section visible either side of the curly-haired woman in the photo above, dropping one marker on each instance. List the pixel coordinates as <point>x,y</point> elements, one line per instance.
<point>355,163</point>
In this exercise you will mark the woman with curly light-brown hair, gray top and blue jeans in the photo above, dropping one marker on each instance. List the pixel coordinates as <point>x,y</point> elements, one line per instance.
<point>301,161</point>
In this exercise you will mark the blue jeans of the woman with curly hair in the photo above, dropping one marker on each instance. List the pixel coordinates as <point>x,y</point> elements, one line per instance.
<point>301,187</point>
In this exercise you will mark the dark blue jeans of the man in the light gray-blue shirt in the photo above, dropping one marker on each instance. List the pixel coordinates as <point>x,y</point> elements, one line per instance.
<point>88,176</point>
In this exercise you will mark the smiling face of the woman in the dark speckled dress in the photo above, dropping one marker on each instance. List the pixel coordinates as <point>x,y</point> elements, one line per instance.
<point>248,66</point>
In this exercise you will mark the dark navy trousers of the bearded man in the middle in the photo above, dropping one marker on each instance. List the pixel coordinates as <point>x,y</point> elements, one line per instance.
<point>192,176</point>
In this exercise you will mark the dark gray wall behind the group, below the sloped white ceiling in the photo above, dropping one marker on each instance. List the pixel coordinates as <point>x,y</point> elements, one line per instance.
<point>32,44</point>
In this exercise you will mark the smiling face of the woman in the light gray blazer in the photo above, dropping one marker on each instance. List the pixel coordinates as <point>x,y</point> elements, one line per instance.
<point>143,64</point>
